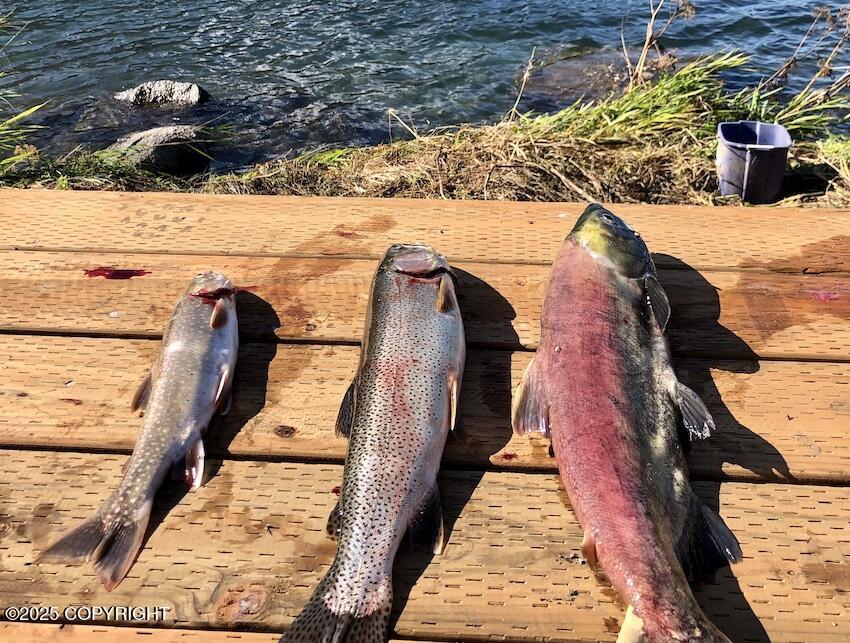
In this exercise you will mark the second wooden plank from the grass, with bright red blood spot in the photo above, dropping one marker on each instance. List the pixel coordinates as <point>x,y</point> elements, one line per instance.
<point>738,315</point>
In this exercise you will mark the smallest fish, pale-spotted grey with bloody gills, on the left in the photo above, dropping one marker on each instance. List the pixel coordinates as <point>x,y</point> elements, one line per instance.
<point>189,381</point>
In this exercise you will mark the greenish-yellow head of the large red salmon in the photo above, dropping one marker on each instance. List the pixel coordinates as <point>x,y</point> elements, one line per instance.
<point>606,235</point>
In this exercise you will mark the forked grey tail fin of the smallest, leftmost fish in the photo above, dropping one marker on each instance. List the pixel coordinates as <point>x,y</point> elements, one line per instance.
<point>111,543</point>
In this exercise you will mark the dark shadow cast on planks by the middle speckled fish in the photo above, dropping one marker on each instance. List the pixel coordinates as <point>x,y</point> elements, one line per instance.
<point>478,300</point>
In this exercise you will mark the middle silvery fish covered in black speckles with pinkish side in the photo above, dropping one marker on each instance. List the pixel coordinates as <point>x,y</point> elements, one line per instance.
<point>397,414</point>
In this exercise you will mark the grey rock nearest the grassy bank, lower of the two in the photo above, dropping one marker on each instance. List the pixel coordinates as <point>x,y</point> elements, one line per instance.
<point>174,149</point>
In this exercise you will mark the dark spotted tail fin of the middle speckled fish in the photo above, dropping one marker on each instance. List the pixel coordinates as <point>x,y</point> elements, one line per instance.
<point>319,622</point>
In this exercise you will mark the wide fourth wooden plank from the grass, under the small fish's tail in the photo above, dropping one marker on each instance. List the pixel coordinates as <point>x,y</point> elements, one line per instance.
<point>246,550</point>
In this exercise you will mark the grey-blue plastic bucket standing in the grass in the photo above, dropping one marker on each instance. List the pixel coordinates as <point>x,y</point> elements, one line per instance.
<point>751,158</point>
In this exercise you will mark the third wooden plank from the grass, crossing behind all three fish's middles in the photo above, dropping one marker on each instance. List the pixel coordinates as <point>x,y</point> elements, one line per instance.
<point>74,393</point>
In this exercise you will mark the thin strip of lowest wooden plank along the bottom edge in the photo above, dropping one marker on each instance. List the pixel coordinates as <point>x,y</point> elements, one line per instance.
<point>48,633</point>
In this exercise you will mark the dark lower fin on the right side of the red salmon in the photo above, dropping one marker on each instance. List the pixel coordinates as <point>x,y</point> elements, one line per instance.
<point>711,545</point>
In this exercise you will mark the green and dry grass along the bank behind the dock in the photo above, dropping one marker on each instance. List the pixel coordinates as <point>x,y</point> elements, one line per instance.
<point>653,142</point>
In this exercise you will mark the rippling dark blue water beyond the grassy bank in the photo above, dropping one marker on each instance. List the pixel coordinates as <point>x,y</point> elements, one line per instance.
<point>292,74</point>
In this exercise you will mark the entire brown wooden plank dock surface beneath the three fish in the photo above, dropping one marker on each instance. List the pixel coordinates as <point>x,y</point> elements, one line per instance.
<point>760,329</point>
